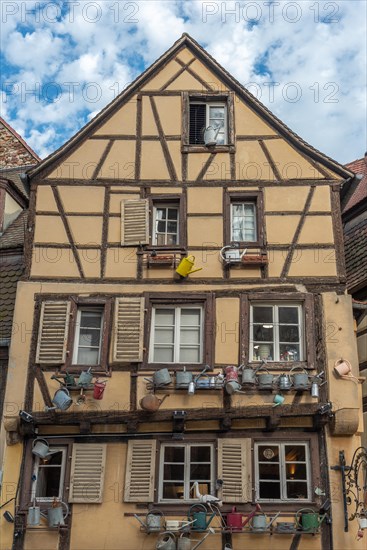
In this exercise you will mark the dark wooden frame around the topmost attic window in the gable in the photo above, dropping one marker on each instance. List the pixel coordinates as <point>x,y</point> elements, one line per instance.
<point>226,98</point>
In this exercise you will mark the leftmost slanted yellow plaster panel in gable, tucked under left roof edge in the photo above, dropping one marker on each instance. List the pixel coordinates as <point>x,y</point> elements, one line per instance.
<point>82,162</point>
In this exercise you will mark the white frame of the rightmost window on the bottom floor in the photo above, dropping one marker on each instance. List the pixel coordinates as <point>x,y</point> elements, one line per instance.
<point>282,470</point>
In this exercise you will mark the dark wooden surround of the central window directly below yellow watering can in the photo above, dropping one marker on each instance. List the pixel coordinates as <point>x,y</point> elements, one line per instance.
<point>206,302</point>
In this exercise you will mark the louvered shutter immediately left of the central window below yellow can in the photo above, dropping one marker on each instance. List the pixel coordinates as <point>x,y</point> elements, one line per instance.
<point>128,330</point>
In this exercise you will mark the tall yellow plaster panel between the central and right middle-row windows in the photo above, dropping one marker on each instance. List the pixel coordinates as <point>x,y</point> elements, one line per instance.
<point>227,331</point>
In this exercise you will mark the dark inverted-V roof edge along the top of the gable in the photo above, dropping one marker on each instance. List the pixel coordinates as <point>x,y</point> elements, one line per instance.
<point>225,76</point>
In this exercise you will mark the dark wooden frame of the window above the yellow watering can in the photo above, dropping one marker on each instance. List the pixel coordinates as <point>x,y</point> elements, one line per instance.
<point>182,225</point>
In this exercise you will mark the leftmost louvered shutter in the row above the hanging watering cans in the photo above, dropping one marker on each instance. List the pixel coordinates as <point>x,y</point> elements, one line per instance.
<point>53,333</point>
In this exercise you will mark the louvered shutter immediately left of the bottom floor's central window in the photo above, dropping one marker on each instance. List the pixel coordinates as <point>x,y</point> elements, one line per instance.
<point>140,467</point>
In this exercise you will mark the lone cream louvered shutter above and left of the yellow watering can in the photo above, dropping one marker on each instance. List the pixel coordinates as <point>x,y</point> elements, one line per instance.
<point>134,222</point>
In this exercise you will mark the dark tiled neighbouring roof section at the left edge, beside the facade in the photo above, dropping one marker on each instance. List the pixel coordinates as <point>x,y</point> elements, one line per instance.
<point>10,273</point>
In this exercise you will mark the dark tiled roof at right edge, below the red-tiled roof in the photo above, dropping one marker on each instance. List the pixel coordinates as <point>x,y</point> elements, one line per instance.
<point>355,243</point>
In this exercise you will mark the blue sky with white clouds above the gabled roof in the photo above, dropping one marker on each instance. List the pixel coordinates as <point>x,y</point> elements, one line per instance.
<point>62,62</point>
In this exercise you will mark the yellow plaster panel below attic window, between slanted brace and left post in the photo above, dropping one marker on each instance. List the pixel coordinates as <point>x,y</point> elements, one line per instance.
<point>120,161</point>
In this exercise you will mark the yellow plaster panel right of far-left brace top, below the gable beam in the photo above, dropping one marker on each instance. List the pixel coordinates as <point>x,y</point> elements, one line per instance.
<point>78,198</point>
